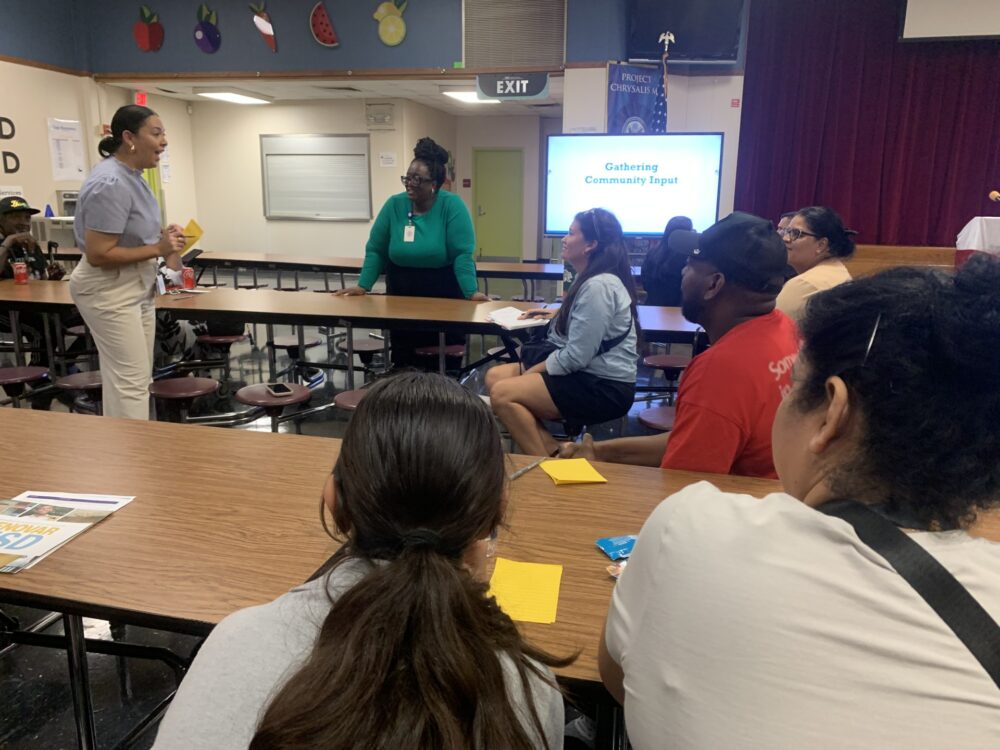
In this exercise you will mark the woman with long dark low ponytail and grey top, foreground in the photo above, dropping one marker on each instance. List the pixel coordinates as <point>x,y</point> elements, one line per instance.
<point>396,644</point>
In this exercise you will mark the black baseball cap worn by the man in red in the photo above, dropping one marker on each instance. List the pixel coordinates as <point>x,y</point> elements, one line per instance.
<point>744,247</point>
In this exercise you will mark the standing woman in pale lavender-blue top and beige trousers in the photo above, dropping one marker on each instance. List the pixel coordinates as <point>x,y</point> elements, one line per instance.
<point>117,226</point>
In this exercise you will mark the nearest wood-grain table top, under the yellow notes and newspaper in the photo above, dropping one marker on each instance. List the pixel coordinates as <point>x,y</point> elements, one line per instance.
<point>205,537</point>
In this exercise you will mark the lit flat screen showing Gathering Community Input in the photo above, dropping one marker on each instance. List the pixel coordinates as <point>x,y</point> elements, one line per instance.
<point>642,179</point>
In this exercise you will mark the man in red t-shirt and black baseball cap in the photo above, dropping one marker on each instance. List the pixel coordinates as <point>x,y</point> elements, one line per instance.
<point>729,394</point>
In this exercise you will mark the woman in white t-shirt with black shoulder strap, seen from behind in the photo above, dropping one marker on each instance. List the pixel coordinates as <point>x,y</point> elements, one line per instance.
<point>791,621</point>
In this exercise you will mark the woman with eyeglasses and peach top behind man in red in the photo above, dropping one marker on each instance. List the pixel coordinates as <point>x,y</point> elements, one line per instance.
<point>817,243</point>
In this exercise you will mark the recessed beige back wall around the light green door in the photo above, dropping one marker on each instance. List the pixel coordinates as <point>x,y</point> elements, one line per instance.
<point>504,132</point>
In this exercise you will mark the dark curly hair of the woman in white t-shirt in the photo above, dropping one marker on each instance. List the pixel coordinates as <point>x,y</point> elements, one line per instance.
<point>920,353</point>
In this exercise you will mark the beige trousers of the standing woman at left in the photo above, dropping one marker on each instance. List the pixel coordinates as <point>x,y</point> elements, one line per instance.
<point>117,306</point>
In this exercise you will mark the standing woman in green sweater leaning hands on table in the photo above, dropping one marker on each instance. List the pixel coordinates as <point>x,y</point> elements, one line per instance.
<point>423,240</point>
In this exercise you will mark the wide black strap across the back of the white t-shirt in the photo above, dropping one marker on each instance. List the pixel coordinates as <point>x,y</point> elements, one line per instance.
<point>939,588</point>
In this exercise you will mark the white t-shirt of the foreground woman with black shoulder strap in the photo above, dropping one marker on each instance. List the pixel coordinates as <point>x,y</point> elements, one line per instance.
<point>745,623</point>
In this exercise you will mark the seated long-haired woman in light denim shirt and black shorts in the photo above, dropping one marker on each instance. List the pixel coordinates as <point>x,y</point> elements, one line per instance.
<point>585,373</point>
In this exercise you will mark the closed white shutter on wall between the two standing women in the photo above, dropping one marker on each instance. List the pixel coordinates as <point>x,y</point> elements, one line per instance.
<point>316,177</point>
